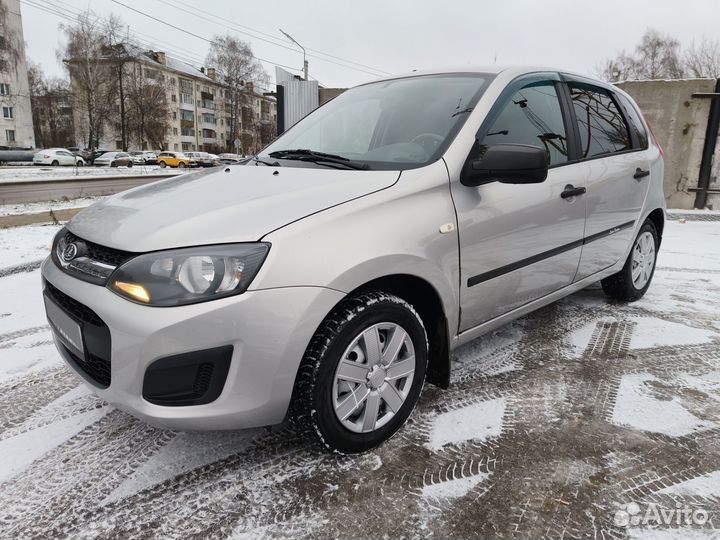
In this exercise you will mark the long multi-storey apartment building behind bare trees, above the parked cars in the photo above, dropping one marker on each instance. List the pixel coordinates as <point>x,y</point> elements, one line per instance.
<point>198,108</point>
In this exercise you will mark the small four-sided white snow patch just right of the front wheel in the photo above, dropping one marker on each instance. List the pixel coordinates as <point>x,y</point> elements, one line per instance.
<point>480,421</point>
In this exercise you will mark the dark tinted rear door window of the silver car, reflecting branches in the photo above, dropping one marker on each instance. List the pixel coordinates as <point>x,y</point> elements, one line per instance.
<point>602,127</point>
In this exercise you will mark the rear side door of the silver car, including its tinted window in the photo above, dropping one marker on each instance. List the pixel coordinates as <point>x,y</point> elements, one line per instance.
<point>618,173</point>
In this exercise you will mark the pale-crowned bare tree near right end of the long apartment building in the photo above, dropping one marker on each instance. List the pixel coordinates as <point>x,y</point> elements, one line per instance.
<point>235,65</point>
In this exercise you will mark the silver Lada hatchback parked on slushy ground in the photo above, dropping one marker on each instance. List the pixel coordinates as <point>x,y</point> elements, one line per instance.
<point>331,276</point>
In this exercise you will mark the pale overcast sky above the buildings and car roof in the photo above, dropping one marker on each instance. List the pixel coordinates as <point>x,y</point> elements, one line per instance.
<point>392,36</point>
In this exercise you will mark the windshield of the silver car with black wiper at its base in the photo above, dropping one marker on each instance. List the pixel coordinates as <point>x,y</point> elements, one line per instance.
<point>396,124</point>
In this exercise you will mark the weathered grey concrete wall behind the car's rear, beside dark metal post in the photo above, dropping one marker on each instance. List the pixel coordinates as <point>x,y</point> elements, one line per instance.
<point>679,122</point>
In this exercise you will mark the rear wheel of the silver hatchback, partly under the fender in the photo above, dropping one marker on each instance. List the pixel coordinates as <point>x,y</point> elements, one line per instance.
<point>631,283</point>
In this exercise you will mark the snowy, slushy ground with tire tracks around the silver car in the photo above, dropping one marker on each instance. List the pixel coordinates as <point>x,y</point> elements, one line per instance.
<point>551,425</point>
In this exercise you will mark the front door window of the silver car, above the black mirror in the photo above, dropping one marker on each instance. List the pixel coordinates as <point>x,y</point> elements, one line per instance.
<point>531,116</point>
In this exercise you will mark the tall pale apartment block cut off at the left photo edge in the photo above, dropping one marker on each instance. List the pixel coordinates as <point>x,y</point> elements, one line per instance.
<point>16,123</point>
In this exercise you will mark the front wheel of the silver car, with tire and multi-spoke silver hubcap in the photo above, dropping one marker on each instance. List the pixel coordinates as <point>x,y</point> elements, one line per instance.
<point>362,373</point>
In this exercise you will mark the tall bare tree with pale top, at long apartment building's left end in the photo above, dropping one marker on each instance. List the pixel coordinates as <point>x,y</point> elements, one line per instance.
<point>91,75</point>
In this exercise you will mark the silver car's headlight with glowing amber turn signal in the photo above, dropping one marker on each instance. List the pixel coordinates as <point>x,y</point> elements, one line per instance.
<point>189,275</point>
